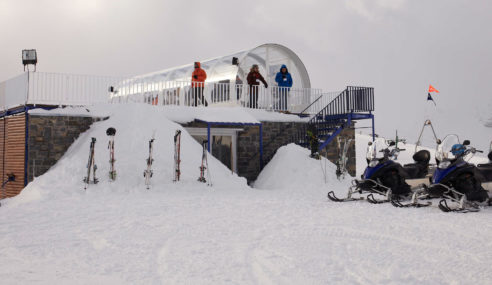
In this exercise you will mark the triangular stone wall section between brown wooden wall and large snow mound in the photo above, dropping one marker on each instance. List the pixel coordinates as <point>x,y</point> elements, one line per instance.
<point>49,137</point>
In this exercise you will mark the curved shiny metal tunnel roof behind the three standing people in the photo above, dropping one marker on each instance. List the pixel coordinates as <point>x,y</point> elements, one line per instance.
<point>269,58</point>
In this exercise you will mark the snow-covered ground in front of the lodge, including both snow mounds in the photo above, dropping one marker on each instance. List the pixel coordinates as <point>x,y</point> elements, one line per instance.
<point>283,231</point>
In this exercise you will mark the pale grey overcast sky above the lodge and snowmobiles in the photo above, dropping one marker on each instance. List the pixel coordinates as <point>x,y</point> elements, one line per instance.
<point>397,46</point>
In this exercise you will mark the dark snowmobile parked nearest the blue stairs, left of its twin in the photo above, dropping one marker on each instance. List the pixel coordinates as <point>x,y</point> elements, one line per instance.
<point>386,177</point>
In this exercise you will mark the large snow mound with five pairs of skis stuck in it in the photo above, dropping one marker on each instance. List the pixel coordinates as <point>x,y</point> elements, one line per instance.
<point>135,125</point>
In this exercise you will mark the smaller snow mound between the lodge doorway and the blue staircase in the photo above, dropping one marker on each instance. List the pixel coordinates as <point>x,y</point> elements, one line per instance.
<point>291,168</point>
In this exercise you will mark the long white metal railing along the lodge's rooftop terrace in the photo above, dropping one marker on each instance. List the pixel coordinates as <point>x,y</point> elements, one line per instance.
<point>40,88</point>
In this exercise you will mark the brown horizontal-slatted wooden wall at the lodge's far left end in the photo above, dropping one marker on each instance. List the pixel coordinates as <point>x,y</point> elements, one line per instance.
<point>12,153</point>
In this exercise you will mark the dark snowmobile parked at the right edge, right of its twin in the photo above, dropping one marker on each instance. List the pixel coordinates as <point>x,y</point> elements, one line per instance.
<point>457,180</point>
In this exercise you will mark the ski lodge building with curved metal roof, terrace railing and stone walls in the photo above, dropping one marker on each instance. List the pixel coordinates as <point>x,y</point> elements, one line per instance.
<point>242,137</point>
